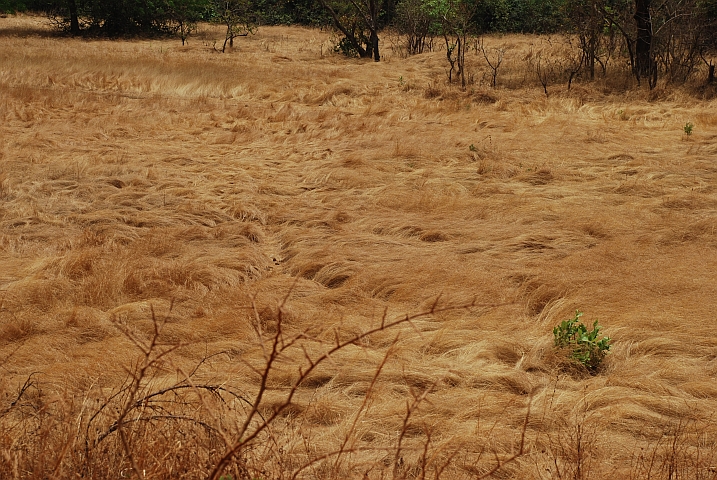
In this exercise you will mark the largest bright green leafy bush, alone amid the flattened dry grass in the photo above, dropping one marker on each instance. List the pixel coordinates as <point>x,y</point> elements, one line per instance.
<point>584,345</point>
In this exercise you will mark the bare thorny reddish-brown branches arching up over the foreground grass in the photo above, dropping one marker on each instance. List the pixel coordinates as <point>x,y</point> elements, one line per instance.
<point>140,405</point>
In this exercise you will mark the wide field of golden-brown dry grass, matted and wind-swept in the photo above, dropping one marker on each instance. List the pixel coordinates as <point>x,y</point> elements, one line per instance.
<point>278,187</point>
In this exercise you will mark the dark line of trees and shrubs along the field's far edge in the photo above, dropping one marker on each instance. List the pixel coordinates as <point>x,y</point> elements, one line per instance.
<point>669,39</point>
